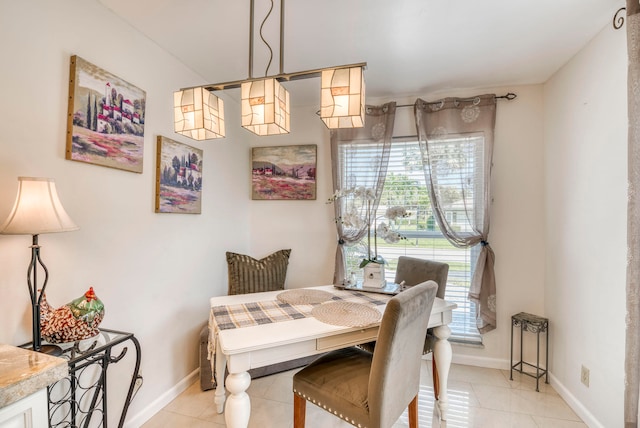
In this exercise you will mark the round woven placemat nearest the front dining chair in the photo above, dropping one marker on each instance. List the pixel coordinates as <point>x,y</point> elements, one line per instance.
<point>346,314</point>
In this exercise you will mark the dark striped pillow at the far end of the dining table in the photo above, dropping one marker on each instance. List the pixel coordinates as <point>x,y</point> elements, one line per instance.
<point>248,275</point>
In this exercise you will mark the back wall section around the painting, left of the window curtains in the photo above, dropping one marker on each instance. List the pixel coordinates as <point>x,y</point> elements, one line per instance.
<point>306,226</point>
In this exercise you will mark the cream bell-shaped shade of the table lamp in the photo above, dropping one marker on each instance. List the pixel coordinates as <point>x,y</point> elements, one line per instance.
<point>37,209</point>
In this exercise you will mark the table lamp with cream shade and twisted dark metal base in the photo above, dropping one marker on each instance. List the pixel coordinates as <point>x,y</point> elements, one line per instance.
<point>37,210</point>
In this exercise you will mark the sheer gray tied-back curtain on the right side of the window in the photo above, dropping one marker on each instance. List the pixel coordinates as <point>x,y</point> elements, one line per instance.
<point>447,171</point>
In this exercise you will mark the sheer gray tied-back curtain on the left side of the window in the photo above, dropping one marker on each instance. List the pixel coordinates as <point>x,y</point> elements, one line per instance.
<point>359,157</point>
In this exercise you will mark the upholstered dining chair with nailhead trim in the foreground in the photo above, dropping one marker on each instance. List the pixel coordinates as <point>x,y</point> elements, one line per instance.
<point>372,389</point>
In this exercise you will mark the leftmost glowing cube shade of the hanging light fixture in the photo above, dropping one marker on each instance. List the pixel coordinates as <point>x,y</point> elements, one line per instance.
<point>198,114</point>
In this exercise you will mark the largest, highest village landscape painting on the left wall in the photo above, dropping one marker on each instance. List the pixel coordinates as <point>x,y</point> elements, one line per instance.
<point>105,122</point>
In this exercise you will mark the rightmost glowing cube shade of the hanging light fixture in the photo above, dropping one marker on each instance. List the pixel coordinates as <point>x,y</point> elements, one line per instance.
<point>342,97</point>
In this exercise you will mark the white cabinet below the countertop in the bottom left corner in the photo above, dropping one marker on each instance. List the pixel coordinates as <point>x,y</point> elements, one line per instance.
<point>29,412</point>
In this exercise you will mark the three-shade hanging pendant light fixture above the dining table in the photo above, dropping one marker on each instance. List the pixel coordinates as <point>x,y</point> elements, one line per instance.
<point>265,101</point>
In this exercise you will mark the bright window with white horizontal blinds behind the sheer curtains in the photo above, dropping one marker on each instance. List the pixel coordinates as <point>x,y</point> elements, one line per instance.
<point>405,186</point>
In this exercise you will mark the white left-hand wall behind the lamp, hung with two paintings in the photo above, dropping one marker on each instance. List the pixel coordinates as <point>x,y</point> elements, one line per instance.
<point>154,272</point>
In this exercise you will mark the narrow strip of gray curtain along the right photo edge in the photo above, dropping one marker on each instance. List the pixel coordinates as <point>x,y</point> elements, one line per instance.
<point>632,350</point>
